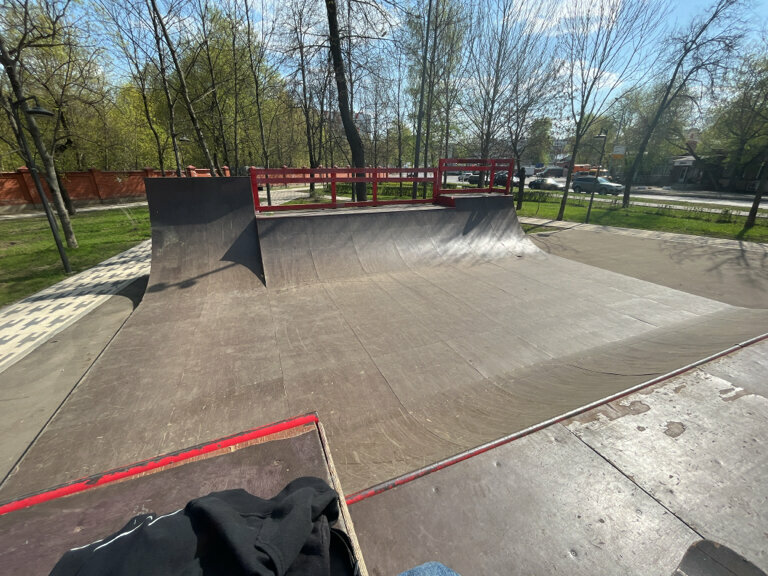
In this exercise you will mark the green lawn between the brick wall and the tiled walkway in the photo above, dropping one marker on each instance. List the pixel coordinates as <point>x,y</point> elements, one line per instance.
<point>29,260</point>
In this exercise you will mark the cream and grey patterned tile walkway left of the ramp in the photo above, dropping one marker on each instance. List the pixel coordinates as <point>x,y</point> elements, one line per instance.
<point>29,323</point>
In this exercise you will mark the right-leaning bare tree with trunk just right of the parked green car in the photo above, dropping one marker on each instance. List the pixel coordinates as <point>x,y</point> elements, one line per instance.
<point>693,56</point>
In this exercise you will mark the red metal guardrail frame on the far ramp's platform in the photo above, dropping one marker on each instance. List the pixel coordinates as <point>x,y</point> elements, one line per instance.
<point>261,177</point>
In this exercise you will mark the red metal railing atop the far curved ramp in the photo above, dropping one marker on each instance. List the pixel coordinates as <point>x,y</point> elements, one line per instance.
<point>328,179</point>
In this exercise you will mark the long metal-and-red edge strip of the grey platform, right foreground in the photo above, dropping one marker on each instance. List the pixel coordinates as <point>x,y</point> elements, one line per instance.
<point>416,474</point>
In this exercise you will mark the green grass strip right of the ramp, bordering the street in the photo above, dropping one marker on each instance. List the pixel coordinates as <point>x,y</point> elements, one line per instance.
<point>693,221</point>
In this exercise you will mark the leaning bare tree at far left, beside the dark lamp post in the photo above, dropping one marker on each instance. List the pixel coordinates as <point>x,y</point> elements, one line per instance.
<point>26,26</point>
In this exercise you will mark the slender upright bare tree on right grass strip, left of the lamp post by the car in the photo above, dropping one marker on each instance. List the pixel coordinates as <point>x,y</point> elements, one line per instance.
<point>604,48</point>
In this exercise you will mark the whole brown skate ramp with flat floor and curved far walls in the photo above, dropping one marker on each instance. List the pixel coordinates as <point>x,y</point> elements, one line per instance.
<point>409,351</point>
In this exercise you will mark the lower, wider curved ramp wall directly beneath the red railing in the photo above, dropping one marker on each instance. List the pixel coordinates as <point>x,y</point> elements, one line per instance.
<point>326,246</point>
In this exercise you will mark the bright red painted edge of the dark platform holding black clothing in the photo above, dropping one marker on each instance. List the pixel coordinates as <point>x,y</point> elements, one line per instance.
<point>154,463</point>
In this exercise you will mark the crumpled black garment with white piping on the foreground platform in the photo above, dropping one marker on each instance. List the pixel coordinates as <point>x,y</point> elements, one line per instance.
<point>230,532</point>
